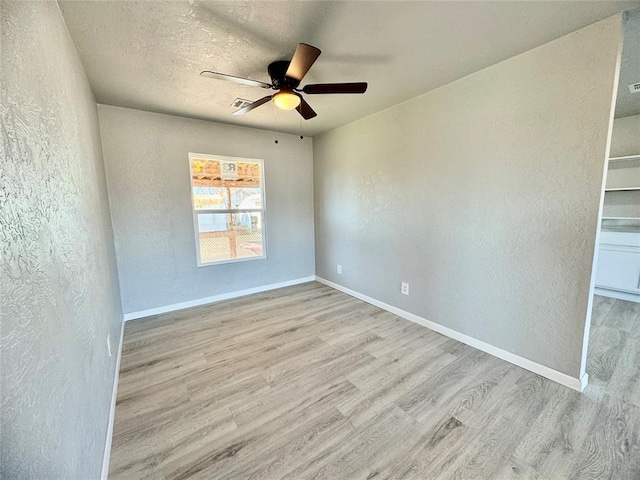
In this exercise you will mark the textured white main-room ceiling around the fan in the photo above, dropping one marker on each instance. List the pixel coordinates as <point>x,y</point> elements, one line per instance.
<point>148,55</point>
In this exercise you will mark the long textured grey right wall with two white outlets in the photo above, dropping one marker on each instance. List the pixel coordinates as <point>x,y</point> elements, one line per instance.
<point>483,195</point>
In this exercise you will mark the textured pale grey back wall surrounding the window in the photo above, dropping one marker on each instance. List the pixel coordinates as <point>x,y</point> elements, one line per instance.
<point>149,189</point>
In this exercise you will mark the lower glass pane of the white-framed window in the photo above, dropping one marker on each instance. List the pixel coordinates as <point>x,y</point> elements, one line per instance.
<point>225,236</point>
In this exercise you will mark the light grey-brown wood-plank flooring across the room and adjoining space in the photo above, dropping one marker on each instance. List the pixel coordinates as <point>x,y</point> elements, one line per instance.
<point>308,383</point>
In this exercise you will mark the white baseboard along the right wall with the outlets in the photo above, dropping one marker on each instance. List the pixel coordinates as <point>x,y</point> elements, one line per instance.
<point>578,384</point>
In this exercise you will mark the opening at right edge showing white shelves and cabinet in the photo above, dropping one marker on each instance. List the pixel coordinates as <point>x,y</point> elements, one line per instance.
<point>611,358</point>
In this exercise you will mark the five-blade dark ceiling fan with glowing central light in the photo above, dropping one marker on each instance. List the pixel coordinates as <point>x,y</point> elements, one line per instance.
<point>285,78</point>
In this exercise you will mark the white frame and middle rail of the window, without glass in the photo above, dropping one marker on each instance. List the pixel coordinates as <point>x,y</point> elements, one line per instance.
<point>262,211</point>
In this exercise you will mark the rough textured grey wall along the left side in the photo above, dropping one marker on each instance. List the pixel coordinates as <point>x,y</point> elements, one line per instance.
<point>59,295</point>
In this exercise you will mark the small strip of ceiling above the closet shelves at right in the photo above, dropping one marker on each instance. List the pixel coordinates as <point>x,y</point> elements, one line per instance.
<point>626,102</point>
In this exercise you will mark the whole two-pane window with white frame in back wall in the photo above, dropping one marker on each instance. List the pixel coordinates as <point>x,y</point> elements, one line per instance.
<point>227,196</point>
